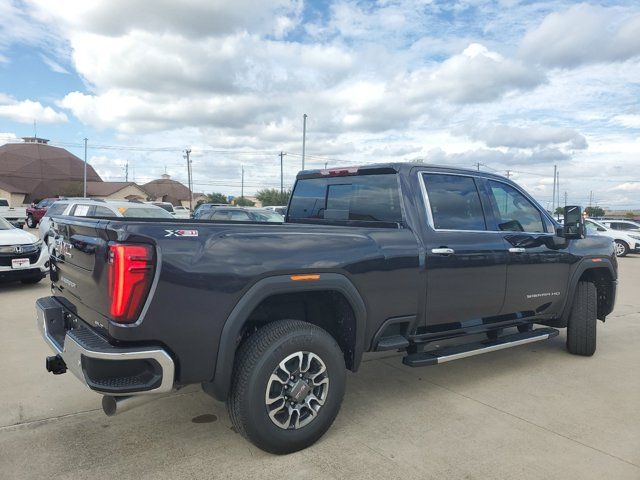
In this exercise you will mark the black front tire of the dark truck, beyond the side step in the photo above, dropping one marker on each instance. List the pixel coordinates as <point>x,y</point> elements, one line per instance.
<point>581,327</point>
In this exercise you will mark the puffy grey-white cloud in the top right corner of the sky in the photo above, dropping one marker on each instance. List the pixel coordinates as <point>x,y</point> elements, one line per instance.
<point>583,34</point>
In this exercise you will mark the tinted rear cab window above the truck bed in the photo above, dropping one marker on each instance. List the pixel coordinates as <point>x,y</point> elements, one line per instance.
<point>367,198</point>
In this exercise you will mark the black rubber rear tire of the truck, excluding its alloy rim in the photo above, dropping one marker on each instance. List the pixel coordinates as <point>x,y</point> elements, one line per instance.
<point>256,361</point>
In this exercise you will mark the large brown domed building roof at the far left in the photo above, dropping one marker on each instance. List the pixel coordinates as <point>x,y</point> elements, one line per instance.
<point>41,170</point>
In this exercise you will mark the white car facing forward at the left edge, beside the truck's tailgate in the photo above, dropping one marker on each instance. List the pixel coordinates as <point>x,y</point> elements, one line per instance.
<point>22,255</point>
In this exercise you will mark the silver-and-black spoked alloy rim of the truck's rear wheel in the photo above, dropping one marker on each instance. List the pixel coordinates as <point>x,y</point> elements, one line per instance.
<point>296,391</point>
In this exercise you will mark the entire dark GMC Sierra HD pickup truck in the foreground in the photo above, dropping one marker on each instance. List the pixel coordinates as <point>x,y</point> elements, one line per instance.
<point>268,317</point>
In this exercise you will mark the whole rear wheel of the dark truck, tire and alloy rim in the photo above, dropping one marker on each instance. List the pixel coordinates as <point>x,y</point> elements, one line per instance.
<point>288,383</point>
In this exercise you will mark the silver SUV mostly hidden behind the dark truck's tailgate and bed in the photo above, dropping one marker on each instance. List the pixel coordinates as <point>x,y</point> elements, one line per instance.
<point>85,207</point>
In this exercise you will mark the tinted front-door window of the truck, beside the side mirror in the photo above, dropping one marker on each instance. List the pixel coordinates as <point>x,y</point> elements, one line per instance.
<point>515,212</point>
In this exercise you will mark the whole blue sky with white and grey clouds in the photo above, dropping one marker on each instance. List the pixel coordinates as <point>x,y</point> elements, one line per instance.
<point>514,86</point>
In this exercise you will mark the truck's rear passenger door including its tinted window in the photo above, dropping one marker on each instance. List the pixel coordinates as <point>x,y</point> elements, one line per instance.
<point>466,262</point>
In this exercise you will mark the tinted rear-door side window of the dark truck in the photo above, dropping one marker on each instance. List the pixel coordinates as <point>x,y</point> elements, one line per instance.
<point>455,203</point>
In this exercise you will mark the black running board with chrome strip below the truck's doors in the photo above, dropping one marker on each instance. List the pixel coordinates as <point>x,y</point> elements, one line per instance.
<point>447,354</point>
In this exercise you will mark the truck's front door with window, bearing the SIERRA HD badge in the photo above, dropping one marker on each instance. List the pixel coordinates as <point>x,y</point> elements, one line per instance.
<point>538,267</point>
